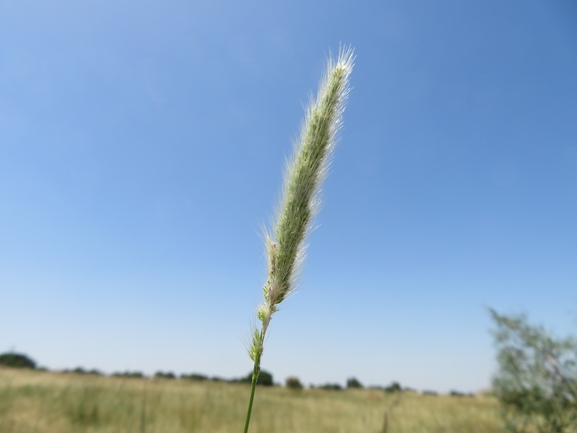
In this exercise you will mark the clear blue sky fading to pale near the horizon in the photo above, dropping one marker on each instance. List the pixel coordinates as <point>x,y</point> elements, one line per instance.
<point>142,146</point>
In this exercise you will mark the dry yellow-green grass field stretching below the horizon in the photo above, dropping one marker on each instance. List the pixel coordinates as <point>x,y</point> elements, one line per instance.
<point>35,401</point>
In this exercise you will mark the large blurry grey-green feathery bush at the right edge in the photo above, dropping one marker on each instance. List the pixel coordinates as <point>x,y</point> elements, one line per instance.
<point>536,383</point>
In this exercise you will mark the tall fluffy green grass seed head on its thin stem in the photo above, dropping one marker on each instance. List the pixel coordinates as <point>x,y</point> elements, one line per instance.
<point>300,199</point>
